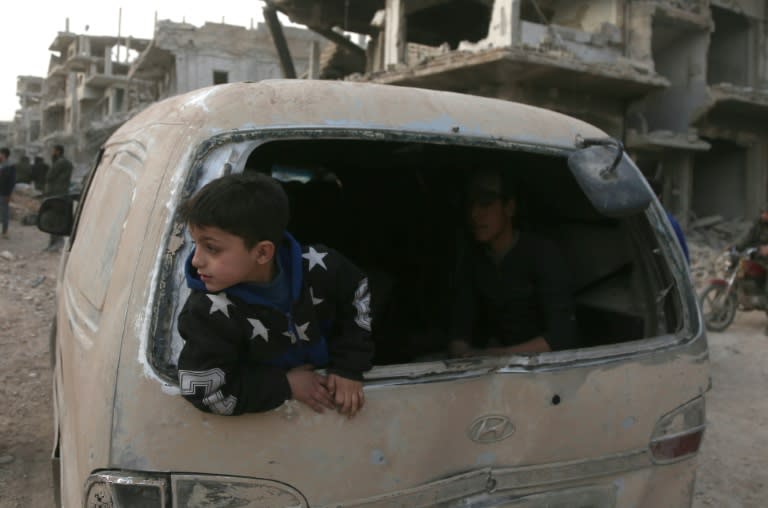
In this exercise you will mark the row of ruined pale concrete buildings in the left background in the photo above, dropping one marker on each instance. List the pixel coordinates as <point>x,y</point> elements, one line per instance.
<point>95,83</point>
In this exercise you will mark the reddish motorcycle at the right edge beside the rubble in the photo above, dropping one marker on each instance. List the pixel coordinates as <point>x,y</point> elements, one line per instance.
<point>742,288</point>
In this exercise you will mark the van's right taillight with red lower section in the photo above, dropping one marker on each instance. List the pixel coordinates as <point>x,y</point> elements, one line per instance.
<point>678,434</point>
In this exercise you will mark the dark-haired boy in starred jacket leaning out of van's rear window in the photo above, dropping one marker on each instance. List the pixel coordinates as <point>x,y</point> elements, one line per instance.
<point>265,311</point>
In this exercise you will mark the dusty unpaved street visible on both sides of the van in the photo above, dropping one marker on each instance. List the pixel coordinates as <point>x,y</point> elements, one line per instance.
<point>732,473</point>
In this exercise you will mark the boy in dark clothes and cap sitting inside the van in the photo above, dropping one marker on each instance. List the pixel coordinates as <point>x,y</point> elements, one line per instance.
<point>513,294</point>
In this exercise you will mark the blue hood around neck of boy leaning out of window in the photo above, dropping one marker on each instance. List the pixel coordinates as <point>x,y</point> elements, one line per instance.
<point>289,256</point>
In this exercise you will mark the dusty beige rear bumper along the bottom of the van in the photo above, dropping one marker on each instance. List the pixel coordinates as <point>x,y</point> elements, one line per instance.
<point>630,479</point>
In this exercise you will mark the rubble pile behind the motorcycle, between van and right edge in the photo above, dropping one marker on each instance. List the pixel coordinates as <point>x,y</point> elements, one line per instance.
<point>708,238</point>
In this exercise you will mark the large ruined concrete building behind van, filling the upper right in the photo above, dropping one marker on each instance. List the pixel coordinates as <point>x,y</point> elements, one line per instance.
<point>684,83</point>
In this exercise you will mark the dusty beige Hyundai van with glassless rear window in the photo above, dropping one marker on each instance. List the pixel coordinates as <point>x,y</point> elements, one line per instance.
<point>614,423</point>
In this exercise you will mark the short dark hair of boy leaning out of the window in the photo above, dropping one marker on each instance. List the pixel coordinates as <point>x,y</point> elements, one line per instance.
<point>252,206</point>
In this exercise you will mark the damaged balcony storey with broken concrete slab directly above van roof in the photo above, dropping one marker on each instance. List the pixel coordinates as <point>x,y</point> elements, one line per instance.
<point>468,45</point>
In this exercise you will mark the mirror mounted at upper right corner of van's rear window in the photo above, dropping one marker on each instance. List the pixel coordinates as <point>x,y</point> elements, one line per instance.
<point>608,178</point>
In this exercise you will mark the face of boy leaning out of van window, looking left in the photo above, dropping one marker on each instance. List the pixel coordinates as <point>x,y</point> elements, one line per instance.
<point>222,259</point>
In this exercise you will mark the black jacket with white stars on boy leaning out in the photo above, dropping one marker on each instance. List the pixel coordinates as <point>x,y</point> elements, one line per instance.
<point>238,347</point>
